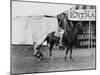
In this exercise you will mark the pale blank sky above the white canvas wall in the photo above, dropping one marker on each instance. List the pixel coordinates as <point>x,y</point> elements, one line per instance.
<point>37,9</point>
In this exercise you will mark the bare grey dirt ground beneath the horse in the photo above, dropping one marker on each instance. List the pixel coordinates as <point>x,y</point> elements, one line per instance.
<point>23,61</point>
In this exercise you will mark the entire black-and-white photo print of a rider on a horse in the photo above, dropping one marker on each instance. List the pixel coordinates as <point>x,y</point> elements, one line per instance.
<point>52,37</point>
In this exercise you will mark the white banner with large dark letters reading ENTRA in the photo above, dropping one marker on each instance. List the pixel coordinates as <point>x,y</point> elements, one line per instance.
<point>82,15</point>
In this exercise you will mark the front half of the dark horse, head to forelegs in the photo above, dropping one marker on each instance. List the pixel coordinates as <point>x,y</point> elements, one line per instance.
<point>69,38</point>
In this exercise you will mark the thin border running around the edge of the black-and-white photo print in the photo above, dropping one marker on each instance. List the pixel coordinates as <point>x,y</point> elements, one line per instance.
<point>48,3</point>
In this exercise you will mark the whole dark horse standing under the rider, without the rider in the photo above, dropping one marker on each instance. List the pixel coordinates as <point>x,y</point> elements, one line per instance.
<point>68,39</point>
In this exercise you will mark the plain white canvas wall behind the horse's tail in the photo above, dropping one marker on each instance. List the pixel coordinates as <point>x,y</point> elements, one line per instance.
<point>26,30</point>
